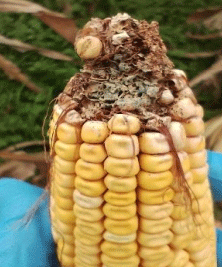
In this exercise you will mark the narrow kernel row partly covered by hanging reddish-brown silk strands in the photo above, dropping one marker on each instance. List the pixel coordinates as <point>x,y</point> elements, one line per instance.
<point>182,226</point>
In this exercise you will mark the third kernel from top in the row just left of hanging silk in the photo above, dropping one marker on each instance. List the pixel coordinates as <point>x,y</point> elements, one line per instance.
<point>154,181</point>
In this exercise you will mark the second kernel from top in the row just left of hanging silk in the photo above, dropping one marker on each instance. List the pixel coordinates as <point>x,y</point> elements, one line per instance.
<point>156,163</point>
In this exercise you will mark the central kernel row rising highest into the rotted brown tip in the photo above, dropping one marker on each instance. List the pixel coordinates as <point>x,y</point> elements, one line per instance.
<point>121,222</point>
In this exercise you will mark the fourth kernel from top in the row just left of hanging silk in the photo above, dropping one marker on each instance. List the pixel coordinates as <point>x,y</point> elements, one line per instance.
<point>155,197</point>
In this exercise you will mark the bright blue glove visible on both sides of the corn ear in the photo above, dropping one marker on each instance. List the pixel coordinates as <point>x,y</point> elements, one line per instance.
<point>33,246</point>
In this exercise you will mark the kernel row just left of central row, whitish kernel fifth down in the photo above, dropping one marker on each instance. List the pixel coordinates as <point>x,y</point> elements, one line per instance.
<point>88,195</point>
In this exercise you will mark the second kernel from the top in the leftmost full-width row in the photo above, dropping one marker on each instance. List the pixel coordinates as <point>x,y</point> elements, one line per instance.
<point>67,151</point>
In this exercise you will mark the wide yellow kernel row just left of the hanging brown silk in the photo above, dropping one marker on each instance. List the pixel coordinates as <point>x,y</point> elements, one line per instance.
<point>155,195</point>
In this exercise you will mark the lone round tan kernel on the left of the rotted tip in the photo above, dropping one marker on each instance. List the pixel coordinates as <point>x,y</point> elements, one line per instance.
<point>88,47</point>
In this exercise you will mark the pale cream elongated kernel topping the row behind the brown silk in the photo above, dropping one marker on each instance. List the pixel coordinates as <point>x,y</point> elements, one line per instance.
<point>178,134</point>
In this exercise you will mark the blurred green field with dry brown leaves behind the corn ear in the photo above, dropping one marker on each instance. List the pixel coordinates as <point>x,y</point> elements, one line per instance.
<point>191,30</point>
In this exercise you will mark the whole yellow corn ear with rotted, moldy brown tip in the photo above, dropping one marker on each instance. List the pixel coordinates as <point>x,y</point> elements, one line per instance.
<point>129,182</point>
